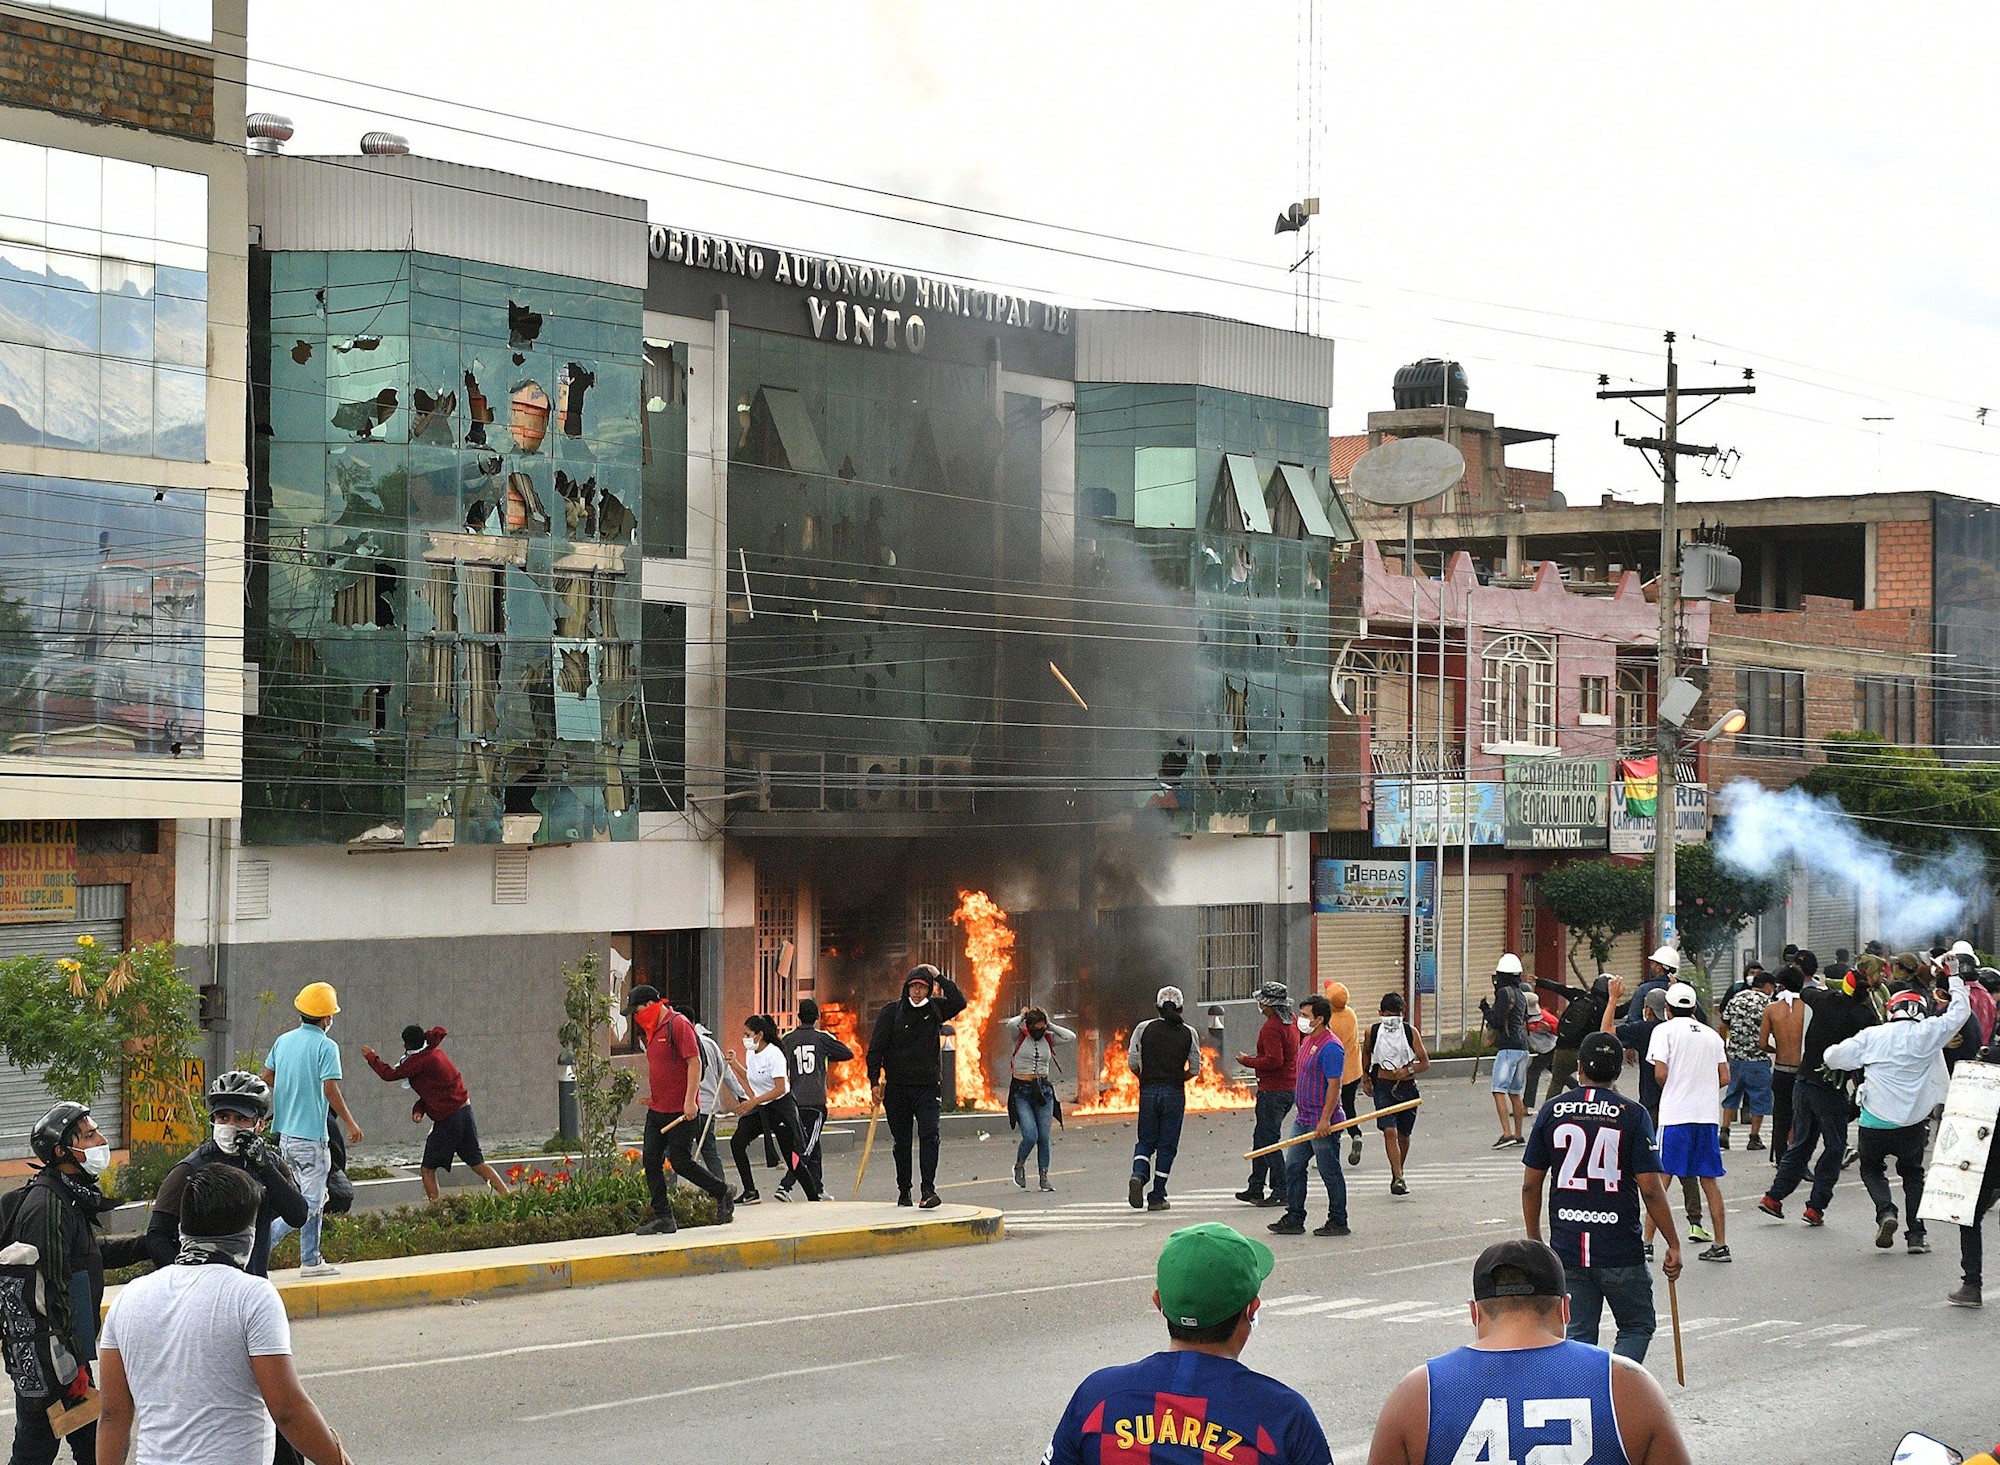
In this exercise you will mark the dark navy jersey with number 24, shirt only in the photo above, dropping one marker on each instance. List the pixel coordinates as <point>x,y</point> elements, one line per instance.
<point>1595,1144</point>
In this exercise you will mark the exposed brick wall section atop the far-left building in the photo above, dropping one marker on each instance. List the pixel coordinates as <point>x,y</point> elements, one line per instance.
<point>107,79</point>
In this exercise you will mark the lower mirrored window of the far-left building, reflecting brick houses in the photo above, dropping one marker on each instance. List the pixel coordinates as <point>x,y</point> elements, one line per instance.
<point>101,617</point>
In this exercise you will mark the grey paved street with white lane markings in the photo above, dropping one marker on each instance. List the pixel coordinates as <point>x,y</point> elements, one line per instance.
<point>969,1356</point>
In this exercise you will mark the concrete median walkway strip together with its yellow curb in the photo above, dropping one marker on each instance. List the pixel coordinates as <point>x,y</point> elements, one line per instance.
<point>763,1236</point>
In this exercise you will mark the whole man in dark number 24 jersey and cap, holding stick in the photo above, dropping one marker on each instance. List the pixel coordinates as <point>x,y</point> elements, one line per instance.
<point>1601,1150</point>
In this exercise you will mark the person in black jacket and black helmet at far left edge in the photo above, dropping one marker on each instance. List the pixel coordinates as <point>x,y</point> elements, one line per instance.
<point>59,1214</point>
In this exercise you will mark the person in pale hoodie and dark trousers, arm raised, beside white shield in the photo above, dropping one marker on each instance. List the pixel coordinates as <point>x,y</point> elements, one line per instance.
<point>1905,1082</point>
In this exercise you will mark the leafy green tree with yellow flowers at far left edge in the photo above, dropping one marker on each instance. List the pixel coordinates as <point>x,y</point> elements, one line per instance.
<point>97,1014</point>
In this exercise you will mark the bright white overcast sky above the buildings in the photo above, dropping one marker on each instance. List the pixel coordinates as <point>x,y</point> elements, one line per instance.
<point>1535,189</point>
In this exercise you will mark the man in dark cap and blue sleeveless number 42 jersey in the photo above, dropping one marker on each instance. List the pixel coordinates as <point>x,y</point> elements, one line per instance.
<point>1521,1390</point>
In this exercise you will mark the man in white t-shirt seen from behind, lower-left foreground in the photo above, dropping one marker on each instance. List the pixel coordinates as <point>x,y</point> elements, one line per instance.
<point>199,1356</point>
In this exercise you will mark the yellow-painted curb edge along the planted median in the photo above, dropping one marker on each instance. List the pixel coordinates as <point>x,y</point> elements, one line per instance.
<point>489,1274</point>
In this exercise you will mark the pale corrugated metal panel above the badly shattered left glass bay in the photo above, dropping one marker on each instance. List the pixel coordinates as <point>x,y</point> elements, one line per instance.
<point>369,203</point>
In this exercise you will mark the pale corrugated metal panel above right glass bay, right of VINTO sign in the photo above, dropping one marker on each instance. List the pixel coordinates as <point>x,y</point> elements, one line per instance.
<point>1207,351</point>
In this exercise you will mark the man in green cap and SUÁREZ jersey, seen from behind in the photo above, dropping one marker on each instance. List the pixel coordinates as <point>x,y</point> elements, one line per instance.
<point>1195,1404</point>
